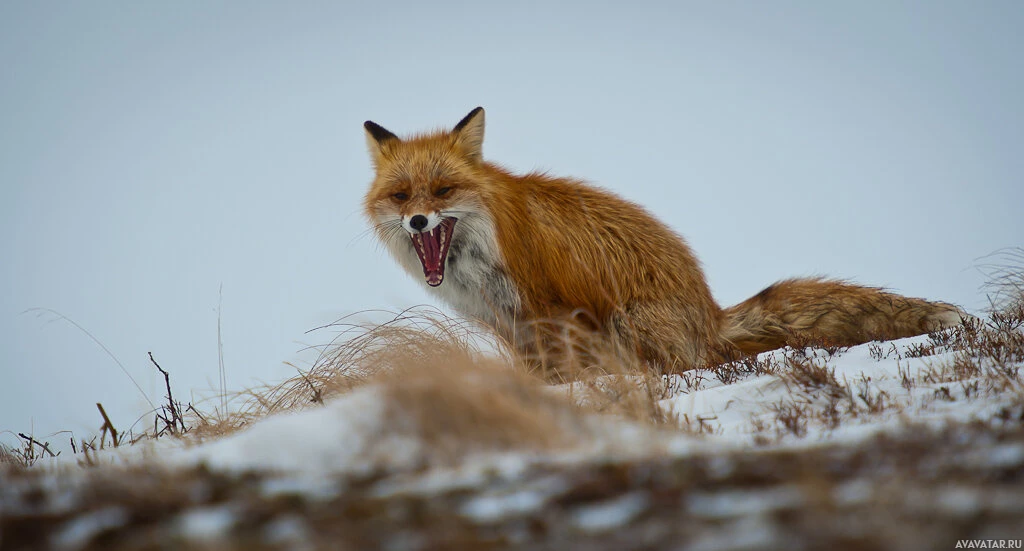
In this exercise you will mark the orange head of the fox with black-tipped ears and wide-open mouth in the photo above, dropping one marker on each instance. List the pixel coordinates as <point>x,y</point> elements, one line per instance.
<point>423,186</point>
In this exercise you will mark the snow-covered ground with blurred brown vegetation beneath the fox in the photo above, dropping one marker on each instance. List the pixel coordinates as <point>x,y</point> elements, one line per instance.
<point>747,445</point>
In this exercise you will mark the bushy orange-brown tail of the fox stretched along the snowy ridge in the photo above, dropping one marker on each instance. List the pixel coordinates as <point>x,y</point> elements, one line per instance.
<point>830,313</point>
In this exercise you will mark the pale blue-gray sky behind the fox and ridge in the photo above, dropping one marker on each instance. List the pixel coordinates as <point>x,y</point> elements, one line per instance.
<point>151,153</point>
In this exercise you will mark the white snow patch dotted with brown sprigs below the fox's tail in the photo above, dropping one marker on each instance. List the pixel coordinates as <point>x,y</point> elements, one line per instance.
<point>737,413</point>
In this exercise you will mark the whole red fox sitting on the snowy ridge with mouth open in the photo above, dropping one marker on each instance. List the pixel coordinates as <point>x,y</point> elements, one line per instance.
<point>543,261</point>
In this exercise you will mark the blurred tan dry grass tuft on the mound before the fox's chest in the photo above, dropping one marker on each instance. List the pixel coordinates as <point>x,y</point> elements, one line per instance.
<point>456,387</point>
